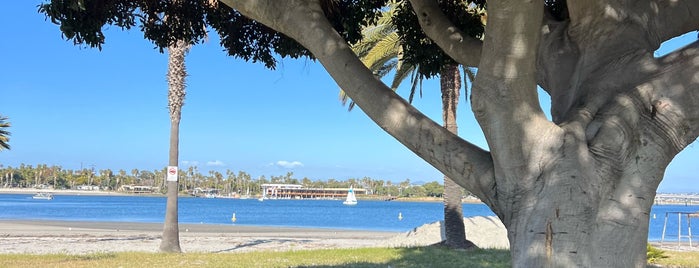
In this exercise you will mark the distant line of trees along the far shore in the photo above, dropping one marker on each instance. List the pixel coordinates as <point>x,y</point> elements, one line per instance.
<point>229,182</point>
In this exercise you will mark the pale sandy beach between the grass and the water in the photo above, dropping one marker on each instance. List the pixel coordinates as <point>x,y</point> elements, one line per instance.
<point>73,237</point>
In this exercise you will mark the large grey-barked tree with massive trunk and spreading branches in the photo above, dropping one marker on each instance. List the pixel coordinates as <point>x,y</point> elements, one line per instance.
<point>575,191</point>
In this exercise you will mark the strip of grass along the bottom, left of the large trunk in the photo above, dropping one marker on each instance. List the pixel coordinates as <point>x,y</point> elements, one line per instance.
<point>365,257</point>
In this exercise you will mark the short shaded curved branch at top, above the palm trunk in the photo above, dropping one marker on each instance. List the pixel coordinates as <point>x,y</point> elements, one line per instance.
<point>458,45</point>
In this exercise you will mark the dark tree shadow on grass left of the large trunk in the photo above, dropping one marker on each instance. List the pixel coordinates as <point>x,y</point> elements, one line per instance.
<point>434,256</point>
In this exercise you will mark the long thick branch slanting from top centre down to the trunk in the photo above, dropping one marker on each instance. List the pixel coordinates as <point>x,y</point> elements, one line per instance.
<point>465,163</point>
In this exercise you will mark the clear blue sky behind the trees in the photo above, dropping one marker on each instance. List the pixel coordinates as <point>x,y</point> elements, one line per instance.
<point>75,106</point>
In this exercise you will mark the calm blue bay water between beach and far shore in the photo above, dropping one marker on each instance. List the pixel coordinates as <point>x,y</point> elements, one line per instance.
<point>367,215</point>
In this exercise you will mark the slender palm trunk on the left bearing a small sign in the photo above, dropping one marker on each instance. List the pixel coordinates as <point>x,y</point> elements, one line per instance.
<point>176,92</point>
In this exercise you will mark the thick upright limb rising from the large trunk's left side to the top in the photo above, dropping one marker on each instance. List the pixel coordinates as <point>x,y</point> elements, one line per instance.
<point>504,95</point>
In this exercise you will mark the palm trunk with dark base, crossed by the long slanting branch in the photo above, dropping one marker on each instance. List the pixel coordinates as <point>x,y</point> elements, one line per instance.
<point>450,83</point>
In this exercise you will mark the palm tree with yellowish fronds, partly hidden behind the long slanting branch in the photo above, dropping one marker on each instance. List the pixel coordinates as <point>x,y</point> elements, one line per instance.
<point>381,52</point>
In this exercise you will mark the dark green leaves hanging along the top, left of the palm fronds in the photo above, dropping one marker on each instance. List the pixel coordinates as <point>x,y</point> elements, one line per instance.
<point>164,22</point>
